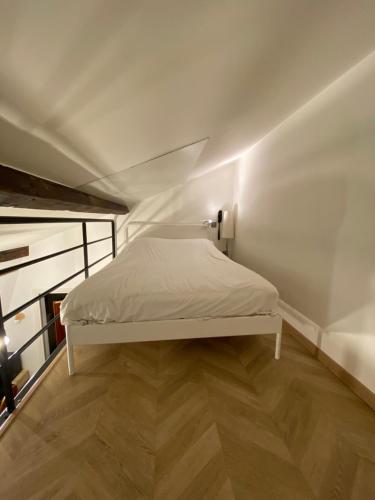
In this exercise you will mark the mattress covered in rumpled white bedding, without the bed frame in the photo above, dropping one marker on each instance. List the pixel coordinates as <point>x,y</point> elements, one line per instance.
<point>159,279</point>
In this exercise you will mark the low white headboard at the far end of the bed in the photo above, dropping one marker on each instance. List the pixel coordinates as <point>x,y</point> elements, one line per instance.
<point>137,228</point>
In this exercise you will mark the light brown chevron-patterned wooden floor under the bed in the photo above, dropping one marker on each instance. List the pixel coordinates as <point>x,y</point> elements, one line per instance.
<point>204,419</point>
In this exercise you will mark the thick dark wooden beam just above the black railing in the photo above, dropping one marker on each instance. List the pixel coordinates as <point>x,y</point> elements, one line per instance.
<point>21,190</point>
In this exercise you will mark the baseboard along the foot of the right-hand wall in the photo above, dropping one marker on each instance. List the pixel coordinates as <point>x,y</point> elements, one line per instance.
<point>307,333</point>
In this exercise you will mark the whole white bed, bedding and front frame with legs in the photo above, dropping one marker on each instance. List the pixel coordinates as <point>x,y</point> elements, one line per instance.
<point>163,289</point>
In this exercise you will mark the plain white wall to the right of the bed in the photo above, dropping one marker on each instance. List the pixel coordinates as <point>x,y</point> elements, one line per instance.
<point>306,211</point>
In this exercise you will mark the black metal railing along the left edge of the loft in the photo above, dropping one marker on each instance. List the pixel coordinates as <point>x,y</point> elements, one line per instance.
<point>11,400</point>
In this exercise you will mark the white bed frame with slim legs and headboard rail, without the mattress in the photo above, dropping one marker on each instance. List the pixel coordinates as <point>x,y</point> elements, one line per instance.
<point>143,331</point>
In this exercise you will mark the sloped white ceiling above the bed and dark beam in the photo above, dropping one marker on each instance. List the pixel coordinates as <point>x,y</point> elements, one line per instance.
<point>91,88</point>
